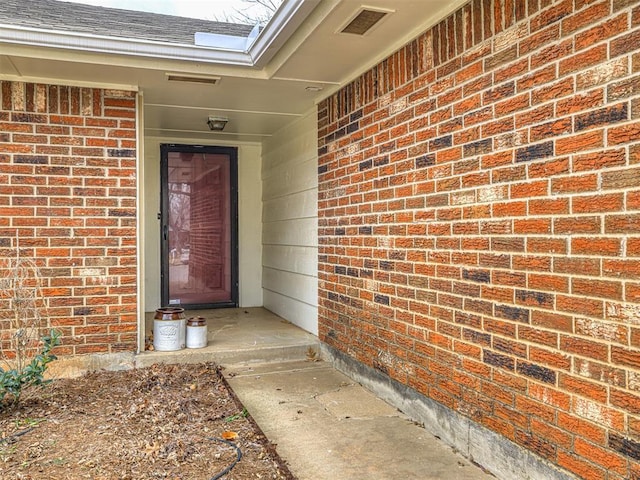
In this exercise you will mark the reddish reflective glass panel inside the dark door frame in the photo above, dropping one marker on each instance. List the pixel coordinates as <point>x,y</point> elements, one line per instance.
<point>199,229</point>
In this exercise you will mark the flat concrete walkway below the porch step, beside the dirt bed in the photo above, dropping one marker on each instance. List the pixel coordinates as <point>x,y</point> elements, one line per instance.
<point>328,427</point>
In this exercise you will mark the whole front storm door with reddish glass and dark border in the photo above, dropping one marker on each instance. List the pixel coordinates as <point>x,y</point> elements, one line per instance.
<point>199,226</point>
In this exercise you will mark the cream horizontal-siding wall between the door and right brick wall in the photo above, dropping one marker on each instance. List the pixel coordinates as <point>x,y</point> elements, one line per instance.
<point>290,223</point>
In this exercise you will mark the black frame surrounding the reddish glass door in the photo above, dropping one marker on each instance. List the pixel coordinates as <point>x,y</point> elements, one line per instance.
<point>232,153</point>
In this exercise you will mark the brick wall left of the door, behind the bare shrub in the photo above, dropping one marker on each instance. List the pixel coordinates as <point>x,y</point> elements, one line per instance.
<point>68,198</point>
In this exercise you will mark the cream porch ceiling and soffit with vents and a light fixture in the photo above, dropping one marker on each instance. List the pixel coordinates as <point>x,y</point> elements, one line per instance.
<point>257,100</point>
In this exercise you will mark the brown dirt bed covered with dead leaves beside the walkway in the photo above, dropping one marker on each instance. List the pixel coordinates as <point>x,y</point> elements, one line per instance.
<point>163,422</point>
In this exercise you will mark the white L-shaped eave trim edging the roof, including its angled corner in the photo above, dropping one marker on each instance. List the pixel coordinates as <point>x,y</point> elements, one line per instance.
<point>287,19</point>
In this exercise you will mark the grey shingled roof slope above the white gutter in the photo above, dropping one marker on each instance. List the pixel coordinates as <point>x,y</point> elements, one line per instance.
<point>113,22</point>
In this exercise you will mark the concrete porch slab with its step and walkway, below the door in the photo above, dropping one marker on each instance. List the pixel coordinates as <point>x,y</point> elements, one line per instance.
<point>325,425</point>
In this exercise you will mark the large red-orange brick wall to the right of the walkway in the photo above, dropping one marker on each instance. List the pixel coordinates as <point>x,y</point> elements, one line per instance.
<point>479,224</point>
